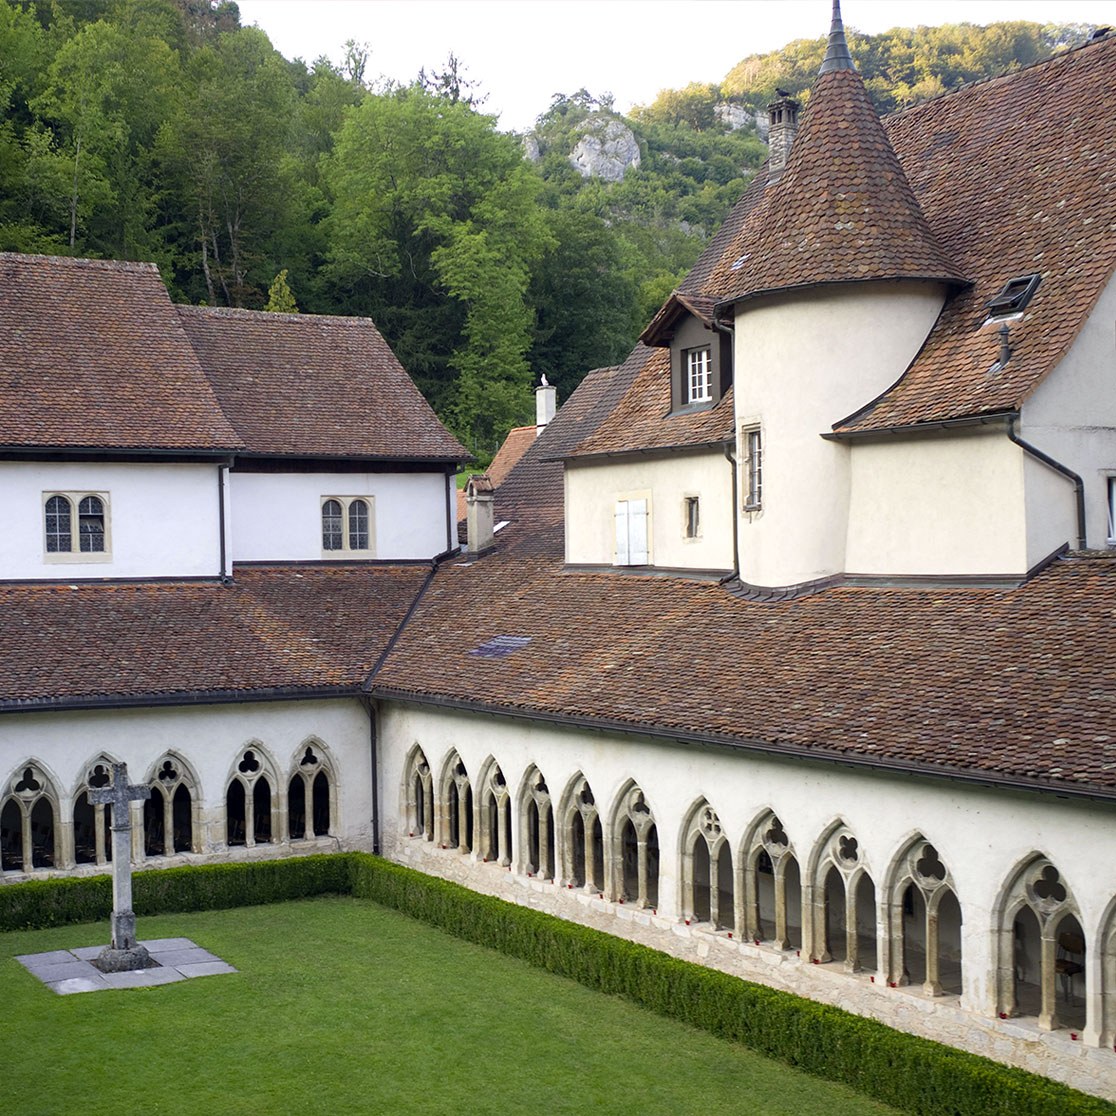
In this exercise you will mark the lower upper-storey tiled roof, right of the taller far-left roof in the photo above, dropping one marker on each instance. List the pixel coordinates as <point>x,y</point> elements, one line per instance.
<point>310,386</point>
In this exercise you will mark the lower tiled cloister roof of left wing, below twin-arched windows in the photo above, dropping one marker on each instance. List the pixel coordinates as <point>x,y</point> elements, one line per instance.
<point>312,628</point>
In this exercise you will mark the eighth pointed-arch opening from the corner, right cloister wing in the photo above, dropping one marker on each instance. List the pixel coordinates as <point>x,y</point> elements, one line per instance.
<point>773,887</point>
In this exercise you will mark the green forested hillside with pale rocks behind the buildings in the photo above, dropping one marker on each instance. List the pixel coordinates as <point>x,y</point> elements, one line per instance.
<point>162,130</point>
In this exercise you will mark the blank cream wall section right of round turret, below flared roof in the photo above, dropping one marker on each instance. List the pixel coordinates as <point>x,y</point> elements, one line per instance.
<point>938,505</point>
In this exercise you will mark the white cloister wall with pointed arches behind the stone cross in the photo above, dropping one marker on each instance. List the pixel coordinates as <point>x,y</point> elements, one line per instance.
<point>213,740</point>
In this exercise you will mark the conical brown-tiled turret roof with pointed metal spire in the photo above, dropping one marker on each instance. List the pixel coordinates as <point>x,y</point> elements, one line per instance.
<point>843,210</point>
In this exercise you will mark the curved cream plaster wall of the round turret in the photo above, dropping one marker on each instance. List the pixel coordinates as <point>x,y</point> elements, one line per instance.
<point>803,363</point>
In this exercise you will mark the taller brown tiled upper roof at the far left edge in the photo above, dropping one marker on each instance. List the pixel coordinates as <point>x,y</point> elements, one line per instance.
<point>93,355</point>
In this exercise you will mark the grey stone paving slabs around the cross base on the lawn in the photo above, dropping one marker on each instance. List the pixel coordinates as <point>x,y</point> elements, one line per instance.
<point>72,971</point>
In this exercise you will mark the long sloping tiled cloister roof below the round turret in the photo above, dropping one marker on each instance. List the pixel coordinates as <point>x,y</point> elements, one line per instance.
<point>1011,684</point>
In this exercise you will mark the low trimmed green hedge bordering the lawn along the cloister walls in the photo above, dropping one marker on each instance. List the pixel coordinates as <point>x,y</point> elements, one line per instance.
<point>911,1074</point>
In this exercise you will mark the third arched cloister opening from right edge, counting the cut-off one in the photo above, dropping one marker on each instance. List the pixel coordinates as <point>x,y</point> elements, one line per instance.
<point>926,923</point>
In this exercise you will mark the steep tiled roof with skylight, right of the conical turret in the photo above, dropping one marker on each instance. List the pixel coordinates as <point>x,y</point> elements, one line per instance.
<point>1017,177</point>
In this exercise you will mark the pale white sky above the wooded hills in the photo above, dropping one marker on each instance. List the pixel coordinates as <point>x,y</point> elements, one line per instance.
<point>524,52</point>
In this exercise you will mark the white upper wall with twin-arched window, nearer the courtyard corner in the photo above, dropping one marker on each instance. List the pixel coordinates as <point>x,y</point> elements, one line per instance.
<point>277,517</point>
